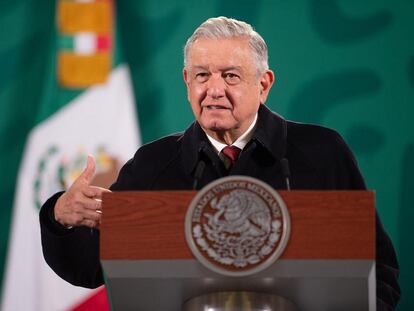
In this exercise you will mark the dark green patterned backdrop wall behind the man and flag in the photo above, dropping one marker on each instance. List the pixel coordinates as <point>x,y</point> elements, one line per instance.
<point>345,64</point>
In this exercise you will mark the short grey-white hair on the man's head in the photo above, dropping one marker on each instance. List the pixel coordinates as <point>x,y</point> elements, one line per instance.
<point>226,28</point>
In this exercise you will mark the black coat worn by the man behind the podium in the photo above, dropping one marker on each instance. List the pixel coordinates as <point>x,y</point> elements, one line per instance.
<point>318,159</point>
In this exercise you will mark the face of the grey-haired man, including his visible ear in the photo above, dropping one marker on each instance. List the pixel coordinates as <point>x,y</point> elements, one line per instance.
<point>223,86</point>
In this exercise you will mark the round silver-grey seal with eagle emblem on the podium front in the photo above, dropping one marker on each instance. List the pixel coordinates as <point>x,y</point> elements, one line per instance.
<point>237,226</point>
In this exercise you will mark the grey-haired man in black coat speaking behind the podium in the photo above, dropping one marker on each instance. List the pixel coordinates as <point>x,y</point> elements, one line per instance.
<point>228,80</point>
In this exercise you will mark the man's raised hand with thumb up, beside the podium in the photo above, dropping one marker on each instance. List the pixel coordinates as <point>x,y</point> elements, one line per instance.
<point>81,204</point>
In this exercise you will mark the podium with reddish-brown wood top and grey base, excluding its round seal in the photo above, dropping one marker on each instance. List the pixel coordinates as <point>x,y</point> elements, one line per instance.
<point>328,264</point>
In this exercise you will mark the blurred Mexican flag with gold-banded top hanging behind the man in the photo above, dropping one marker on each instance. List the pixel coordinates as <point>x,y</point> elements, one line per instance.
<point>99,119</point>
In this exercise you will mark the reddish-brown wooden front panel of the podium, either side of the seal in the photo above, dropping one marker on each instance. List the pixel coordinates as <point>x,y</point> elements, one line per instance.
<point>325,225</point>
